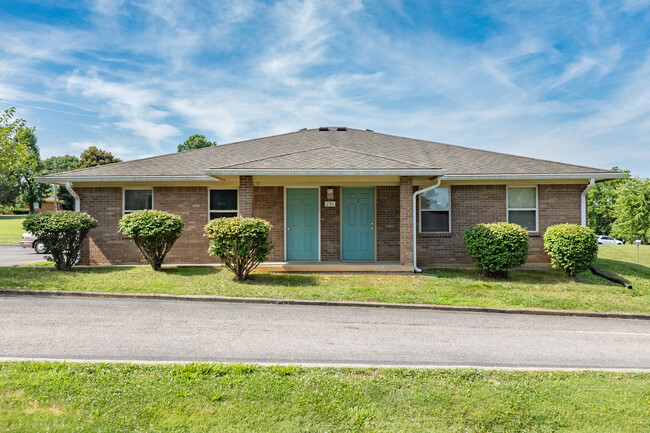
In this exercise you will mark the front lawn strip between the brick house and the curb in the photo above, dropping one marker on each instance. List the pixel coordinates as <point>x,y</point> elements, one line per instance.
<point>524,289</point>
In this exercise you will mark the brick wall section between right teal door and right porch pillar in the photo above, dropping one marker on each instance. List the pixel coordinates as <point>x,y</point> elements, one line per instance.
<point>388,224</point>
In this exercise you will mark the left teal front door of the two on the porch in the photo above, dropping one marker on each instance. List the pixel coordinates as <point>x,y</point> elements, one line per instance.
<point>302,224</point>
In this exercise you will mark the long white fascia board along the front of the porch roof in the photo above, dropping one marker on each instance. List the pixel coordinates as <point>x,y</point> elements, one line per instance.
<point>342,172</point>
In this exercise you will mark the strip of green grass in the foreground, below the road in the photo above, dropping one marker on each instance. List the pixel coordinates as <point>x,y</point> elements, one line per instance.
<point>242,398</point>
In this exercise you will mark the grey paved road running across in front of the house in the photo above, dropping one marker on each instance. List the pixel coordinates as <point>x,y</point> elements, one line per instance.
<point>149,330</point>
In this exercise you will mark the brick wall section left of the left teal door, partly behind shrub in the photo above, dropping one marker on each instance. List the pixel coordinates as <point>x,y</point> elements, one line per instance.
<point>268,203</point>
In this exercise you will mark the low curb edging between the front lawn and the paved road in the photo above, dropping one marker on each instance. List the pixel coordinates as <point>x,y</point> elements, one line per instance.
<point>323,303</point>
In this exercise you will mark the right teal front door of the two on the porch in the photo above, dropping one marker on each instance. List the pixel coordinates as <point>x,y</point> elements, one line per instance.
<point>358,228</point>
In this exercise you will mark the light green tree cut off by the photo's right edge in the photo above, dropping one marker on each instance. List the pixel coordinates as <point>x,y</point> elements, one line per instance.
<point>632,210</point>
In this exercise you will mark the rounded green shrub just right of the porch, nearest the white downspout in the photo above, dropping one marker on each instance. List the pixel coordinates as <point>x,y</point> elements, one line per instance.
<point>496,247</point>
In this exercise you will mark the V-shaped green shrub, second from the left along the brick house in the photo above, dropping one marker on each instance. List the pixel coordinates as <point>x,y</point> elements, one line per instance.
<point>153,232</point>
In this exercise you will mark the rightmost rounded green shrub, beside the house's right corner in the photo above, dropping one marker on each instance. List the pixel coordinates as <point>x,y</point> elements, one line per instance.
<point>572,247</point>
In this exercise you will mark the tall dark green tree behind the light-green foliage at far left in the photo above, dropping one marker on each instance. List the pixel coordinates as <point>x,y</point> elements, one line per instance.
<point>29,168</point>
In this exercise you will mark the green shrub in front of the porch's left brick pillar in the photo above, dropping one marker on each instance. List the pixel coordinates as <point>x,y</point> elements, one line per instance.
<point>241,243</point>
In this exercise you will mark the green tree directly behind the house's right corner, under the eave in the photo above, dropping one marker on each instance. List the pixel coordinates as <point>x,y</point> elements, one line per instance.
<point>601,200</point>
